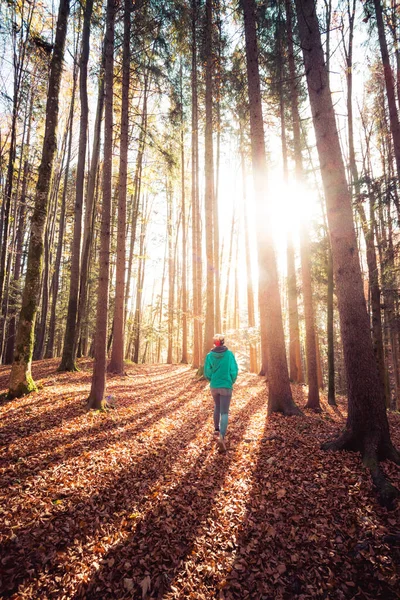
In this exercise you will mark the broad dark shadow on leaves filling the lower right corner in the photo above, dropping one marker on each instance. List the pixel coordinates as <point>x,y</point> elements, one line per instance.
<point>309,532</point>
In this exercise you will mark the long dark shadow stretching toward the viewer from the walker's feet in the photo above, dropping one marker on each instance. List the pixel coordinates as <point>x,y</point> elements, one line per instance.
<point>164,537</point>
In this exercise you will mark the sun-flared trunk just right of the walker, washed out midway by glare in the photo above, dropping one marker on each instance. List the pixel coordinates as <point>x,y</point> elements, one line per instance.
<point>280,395</point>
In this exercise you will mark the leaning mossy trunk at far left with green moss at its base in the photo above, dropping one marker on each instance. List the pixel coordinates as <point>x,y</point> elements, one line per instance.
<point>21,381</point>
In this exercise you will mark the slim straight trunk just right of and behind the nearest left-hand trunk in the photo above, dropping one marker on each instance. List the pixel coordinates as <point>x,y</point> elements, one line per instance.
<point>117,355</point>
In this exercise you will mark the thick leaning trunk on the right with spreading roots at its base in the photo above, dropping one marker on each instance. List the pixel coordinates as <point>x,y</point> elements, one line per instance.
<point>367,428</point>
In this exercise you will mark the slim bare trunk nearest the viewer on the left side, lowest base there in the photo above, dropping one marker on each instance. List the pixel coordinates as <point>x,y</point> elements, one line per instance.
<point>96,397</point>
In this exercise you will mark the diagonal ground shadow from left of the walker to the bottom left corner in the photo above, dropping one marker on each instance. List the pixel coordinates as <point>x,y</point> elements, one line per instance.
<point>41,546</point>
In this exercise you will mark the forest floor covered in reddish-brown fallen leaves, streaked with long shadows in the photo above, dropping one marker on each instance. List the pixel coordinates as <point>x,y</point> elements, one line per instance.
<point>138,503</point>
